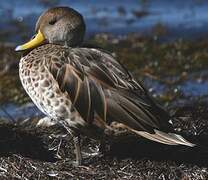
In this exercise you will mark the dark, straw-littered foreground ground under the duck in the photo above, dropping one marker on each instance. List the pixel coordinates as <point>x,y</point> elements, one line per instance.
<point>31,153</point>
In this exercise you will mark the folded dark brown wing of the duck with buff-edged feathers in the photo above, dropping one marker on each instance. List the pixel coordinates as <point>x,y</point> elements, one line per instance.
<point>99,85</point>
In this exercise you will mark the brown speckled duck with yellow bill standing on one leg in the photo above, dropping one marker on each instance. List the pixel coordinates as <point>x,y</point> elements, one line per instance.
<point>85,89</point>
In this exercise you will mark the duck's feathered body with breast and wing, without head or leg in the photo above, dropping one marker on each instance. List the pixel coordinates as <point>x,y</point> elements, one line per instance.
<point>84,87</point>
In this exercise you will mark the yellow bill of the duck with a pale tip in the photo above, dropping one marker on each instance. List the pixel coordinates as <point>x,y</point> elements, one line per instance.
<point>39,38</point>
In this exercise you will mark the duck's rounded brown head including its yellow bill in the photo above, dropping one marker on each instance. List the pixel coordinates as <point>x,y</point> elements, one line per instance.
<point>59,25</point>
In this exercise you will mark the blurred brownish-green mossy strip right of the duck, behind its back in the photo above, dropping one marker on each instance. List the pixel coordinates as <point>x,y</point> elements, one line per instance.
<point>161,59</point>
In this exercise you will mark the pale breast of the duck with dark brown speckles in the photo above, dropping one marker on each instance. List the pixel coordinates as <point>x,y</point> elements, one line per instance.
<point>42,88</point>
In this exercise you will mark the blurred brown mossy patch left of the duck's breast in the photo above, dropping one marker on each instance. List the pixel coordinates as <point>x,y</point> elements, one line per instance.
<point>10,86</point>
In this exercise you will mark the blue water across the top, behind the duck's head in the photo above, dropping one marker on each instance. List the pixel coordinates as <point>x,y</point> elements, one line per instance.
<point>187,18</point>
